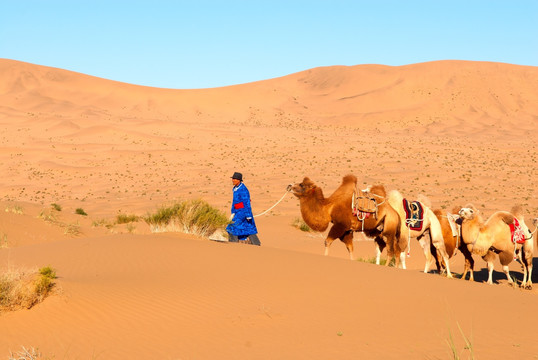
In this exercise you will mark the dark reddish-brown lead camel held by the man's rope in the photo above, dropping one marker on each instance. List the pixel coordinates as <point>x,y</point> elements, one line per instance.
<point>318,211</point>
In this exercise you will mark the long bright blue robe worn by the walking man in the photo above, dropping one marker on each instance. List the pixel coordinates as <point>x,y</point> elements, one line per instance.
<point>243,222</point>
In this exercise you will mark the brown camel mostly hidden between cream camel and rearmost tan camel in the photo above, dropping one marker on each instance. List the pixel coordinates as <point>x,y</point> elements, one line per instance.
<point>452,236</point>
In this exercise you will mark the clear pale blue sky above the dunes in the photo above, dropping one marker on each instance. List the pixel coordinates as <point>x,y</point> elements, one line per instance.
<point>200,44</point>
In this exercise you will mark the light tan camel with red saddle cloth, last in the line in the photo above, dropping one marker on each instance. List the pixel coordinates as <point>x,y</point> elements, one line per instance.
<point>493,237</point>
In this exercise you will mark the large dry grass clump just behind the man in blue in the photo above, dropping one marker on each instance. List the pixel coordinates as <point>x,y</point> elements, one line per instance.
<point>191,217</point>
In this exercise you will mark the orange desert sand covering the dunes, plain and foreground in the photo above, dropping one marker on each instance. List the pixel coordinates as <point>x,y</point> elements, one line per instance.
<point>456,132</point>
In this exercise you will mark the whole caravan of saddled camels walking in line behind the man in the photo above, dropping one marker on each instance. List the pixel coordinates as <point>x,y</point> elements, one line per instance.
<point>393,221</point>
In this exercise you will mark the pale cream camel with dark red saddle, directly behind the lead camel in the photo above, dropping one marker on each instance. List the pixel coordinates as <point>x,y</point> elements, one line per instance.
<point>429,224</point>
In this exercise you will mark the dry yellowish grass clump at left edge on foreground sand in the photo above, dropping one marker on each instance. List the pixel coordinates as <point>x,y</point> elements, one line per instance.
<point>24,288</point>
